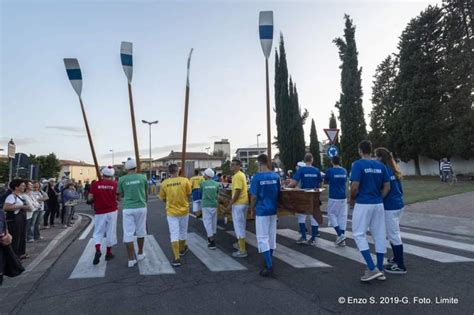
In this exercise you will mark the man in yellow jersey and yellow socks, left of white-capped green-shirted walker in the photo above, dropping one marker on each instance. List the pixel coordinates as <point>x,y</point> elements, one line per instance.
<point>175,192</point>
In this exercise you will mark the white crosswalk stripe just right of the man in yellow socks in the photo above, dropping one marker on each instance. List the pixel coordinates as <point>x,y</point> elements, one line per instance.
<point>215,260</point>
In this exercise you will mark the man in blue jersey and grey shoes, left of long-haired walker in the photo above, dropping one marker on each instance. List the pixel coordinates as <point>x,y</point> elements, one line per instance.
<point>370,183</point>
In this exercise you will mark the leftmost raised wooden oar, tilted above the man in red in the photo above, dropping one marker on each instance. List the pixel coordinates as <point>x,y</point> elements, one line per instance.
<point>75,77</point>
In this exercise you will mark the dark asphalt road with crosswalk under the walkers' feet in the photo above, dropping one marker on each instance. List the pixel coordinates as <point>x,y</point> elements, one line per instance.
<point>330,285</point>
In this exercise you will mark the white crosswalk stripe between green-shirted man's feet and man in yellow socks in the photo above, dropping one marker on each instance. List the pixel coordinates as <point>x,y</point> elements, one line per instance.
<point>155,261</point>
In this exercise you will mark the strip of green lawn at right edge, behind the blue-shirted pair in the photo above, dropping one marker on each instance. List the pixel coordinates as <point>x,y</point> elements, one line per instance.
<point>419,189</point>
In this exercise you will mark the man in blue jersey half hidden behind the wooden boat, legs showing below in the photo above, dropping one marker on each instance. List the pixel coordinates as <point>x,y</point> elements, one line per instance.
<point>309,177</point>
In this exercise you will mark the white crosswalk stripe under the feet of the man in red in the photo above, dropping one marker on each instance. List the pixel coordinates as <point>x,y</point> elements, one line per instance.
<point>85,268</point>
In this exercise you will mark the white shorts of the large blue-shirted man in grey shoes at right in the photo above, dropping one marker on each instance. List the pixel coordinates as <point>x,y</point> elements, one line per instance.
<point>365,216</point>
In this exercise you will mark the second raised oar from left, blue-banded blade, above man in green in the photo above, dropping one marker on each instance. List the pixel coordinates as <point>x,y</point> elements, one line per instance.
<point>126,56</point>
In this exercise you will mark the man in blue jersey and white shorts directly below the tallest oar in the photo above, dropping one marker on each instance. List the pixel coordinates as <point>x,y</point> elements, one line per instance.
<point>264,191</point>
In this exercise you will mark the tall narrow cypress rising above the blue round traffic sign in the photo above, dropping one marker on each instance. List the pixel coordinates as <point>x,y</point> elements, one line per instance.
<point>351,113</point>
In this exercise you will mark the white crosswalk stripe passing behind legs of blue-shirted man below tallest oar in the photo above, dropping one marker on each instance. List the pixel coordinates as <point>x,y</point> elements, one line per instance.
<point>291,257</point>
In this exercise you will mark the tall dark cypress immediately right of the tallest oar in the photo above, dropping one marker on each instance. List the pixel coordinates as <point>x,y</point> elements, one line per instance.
<point>289,118</point>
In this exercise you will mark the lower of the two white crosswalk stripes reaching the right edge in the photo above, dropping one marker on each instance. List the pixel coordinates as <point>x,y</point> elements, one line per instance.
<point>416,250</point>
